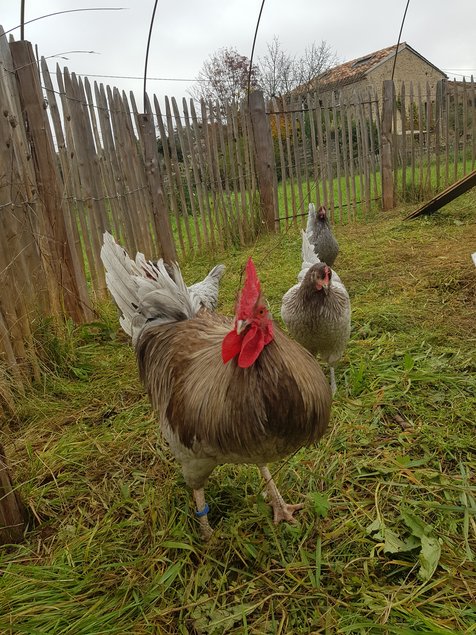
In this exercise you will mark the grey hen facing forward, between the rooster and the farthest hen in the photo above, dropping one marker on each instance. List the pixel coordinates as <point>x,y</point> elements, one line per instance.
<point>316,310</point>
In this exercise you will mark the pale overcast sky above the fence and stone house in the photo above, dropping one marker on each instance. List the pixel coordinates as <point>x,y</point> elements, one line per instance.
<point>186,32</point>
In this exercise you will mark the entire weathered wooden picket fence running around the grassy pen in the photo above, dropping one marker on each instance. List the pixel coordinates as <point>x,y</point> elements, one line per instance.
<point>78,158</point>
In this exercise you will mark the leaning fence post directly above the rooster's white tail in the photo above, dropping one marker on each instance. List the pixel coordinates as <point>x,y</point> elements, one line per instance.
<point>159,208</point>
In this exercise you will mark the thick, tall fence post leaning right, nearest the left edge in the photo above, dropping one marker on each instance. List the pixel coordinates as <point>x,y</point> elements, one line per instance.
<point>61,259</point>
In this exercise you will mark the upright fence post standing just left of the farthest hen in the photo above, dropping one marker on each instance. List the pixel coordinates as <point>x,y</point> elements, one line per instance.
<point>265,163</point>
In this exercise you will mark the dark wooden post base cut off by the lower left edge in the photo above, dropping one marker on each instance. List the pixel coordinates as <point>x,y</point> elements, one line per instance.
<point>13,515</point>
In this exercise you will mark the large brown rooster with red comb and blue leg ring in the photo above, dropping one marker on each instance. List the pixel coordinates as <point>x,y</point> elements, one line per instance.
<point>225,390</point>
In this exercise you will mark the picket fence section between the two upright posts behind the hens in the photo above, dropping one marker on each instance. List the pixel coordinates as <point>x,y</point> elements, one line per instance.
<point>327,152</point>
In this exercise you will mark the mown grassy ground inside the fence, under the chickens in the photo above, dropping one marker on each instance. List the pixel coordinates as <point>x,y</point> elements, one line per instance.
<point>387,540</point>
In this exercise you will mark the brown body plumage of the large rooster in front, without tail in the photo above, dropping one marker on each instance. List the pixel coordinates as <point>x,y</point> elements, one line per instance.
<point>221,413</point>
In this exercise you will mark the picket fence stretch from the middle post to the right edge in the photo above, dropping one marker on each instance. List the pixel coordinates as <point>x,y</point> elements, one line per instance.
<point>330,149</point>
